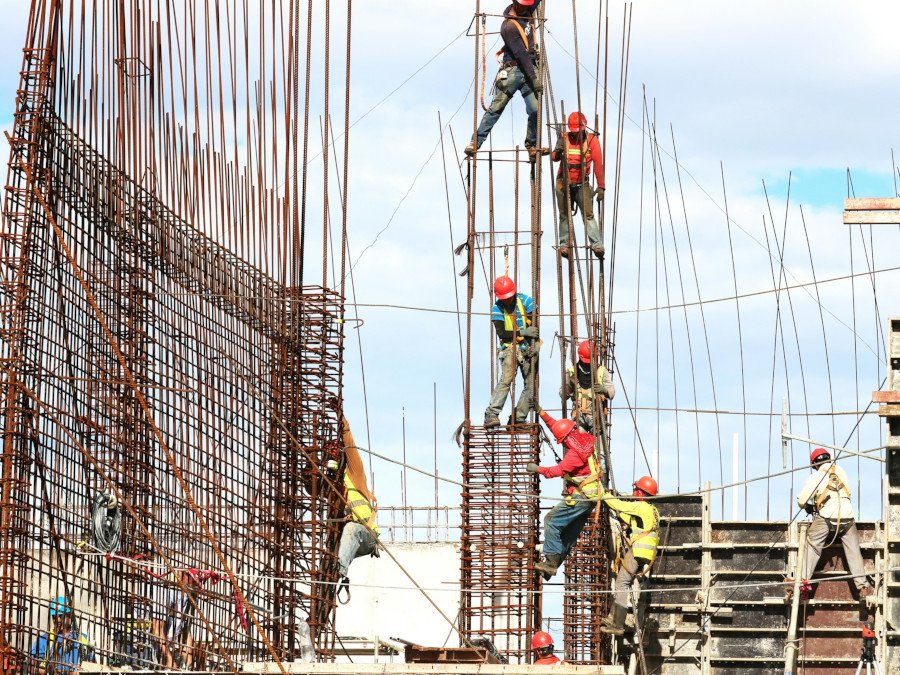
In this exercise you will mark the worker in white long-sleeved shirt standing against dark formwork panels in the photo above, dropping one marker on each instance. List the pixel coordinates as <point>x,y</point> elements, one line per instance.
<point>826,495</point>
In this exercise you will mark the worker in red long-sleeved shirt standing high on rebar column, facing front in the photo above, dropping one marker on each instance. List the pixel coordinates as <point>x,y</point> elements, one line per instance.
<point>577,150</point>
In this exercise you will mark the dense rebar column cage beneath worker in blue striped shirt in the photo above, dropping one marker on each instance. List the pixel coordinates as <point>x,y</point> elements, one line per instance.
<point>499,599</point>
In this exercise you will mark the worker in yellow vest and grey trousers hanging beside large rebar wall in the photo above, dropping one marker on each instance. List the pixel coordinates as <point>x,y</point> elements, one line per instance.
<point>360,534</point>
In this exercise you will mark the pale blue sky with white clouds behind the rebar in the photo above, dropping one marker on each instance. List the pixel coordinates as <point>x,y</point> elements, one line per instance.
<point>765,88</point>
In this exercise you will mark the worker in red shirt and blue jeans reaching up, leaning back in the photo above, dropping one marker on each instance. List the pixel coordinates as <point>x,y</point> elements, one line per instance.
<point>581,472</point>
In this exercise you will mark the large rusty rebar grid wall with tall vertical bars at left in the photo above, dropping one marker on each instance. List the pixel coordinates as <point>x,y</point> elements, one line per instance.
<point>142,357</point>
